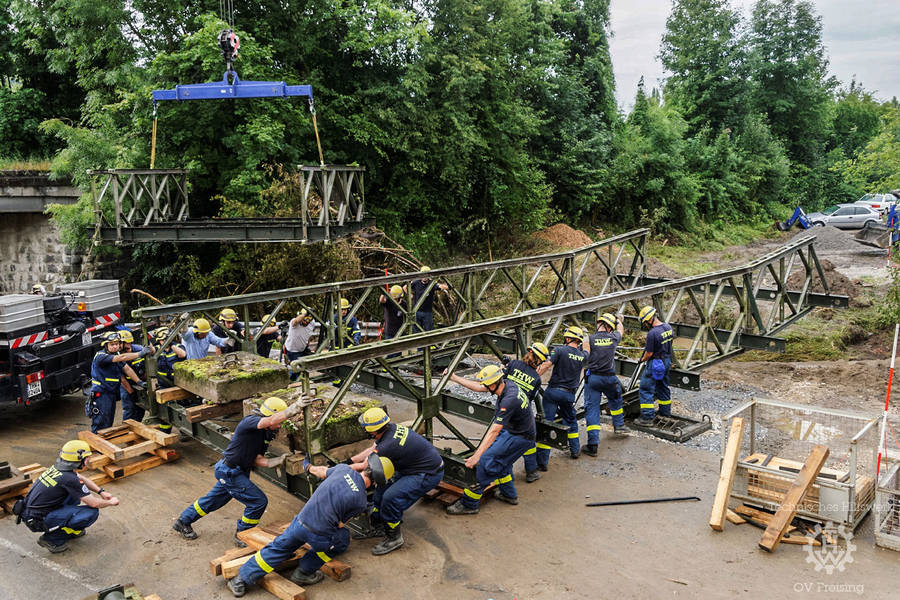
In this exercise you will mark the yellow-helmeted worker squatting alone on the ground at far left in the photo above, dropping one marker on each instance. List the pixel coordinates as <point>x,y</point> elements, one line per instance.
<point>60,504</point>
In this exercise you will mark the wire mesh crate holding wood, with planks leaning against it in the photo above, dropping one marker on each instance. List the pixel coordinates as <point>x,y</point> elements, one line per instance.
<point>778,441</point>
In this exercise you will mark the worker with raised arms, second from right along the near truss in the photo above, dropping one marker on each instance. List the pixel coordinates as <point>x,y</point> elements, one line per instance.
<point>601,364</point>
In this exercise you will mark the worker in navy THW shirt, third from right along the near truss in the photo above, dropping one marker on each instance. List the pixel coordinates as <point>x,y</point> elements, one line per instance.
<point>559,397</point>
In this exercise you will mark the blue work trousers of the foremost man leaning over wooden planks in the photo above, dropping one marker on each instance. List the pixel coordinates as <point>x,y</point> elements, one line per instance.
<point>324,548</point>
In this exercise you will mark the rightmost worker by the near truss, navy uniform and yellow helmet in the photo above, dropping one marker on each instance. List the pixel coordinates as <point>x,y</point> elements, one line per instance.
<point>657,359</point>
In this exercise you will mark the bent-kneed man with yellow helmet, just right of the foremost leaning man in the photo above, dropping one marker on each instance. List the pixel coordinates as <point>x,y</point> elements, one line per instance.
<point>418,468</point>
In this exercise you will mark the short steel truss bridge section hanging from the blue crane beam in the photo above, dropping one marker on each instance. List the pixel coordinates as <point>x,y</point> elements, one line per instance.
<point>151,205</point>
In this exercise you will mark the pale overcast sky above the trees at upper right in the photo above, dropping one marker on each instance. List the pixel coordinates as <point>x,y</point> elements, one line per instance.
<point>862,38</point>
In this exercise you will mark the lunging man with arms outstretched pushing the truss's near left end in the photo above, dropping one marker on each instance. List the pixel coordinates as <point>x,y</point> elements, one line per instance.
<point>246,450</point>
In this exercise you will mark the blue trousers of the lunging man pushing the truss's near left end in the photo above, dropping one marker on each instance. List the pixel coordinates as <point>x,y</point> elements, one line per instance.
<point>232,483</point>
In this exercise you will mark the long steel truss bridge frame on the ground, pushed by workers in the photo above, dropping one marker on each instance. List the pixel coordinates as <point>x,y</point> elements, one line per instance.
<point>715,316</point>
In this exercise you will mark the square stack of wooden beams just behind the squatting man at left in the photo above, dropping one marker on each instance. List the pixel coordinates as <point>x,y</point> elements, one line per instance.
<point>125,450</point>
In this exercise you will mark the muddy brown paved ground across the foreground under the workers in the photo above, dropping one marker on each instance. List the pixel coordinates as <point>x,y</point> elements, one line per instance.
<point>548,547</point>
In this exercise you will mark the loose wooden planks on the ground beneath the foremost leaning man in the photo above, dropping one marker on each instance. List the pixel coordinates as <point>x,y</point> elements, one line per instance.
<point>228,565</point>
